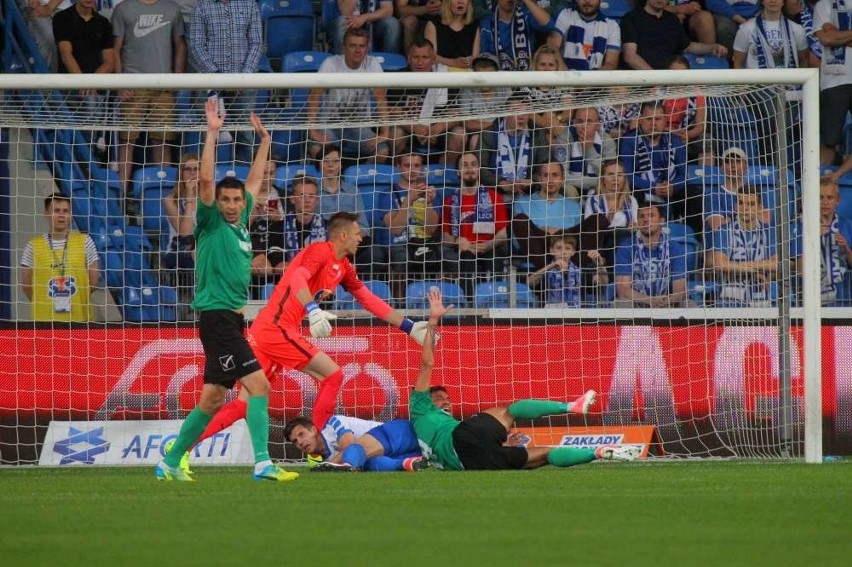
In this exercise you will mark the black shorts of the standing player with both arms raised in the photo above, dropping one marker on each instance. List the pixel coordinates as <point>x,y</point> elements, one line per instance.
<point>228,356</point>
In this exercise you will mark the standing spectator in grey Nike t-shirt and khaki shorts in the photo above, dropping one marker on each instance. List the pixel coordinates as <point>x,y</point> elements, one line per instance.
<point>149,38</point>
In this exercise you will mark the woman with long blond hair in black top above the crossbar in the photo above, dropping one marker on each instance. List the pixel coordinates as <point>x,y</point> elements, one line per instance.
<point>454,34</point>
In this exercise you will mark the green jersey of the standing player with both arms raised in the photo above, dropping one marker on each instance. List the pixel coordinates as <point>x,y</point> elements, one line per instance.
<point>222,258</point>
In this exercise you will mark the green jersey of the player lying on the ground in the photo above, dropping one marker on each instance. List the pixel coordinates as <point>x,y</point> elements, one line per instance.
<point>434,429</point>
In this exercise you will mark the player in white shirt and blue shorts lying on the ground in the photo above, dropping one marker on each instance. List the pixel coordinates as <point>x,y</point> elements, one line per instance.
<point>349,443</point>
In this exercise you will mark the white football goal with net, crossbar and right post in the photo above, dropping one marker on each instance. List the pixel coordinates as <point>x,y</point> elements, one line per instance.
<point>654,237</point>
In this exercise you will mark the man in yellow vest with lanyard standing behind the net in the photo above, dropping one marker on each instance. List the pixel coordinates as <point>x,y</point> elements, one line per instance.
<point>59,268</point>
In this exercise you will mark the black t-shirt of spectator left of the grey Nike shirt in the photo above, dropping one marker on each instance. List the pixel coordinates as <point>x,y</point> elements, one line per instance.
<point>88,38</point>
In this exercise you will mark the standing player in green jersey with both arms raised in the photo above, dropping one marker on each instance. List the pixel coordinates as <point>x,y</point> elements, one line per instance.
<point>223,256</point>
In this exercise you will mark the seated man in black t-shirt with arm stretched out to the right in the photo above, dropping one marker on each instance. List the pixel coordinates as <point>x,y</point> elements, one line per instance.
<point>652,37</point>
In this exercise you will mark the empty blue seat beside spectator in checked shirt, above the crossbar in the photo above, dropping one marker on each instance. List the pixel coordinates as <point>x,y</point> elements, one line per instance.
<point>288,26</point>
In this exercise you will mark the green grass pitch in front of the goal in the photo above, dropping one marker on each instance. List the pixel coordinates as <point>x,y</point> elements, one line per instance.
<point>712,513</point>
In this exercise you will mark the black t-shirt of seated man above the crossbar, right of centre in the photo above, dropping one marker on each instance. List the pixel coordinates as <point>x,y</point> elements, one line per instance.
<point>658,39</point>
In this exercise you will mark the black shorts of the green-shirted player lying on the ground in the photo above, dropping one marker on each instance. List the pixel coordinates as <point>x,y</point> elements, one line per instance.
<point>479,444</point>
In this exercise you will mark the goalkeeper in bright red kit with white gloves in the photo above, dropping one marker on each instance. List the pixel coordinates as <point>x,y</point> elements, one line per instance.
<point>275,336</point>
